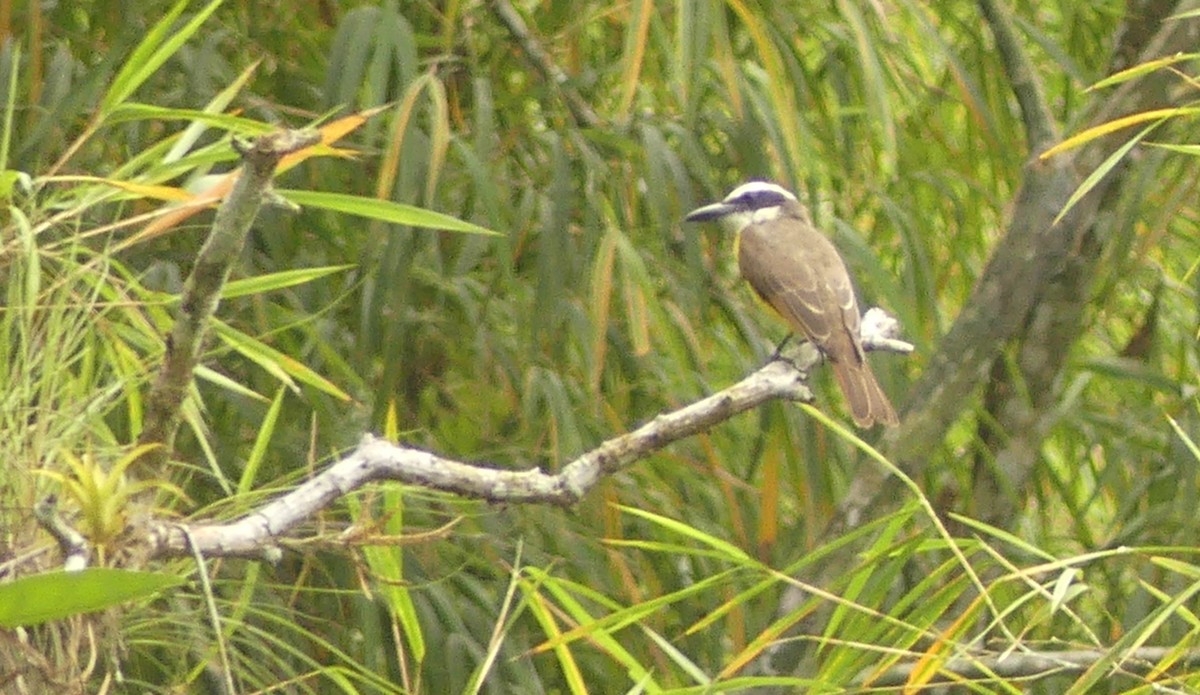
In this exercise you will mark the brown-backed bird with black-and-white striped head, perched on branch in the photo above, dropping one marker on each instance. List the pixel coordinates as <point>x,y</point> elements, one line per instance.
<point>797,272</point>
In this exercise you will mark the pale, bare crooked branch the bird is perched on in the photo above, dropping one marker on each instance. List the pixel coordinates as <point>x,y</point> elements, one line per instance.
<point>380,460</point>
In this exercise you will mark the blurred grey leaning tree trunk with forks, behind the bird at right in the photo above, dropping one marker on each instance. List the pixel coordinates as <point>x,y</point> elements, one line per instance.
<point>1037,260</point>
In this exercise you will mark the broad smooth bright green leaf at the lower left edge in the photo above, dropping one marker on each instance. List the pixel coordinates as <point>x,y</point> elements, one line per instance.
<point>56,596</point>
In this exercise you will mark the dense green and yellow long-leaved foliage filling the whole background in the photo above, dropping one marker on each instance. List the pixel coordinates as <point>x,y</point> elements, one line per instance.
<point>1049,487</point>
